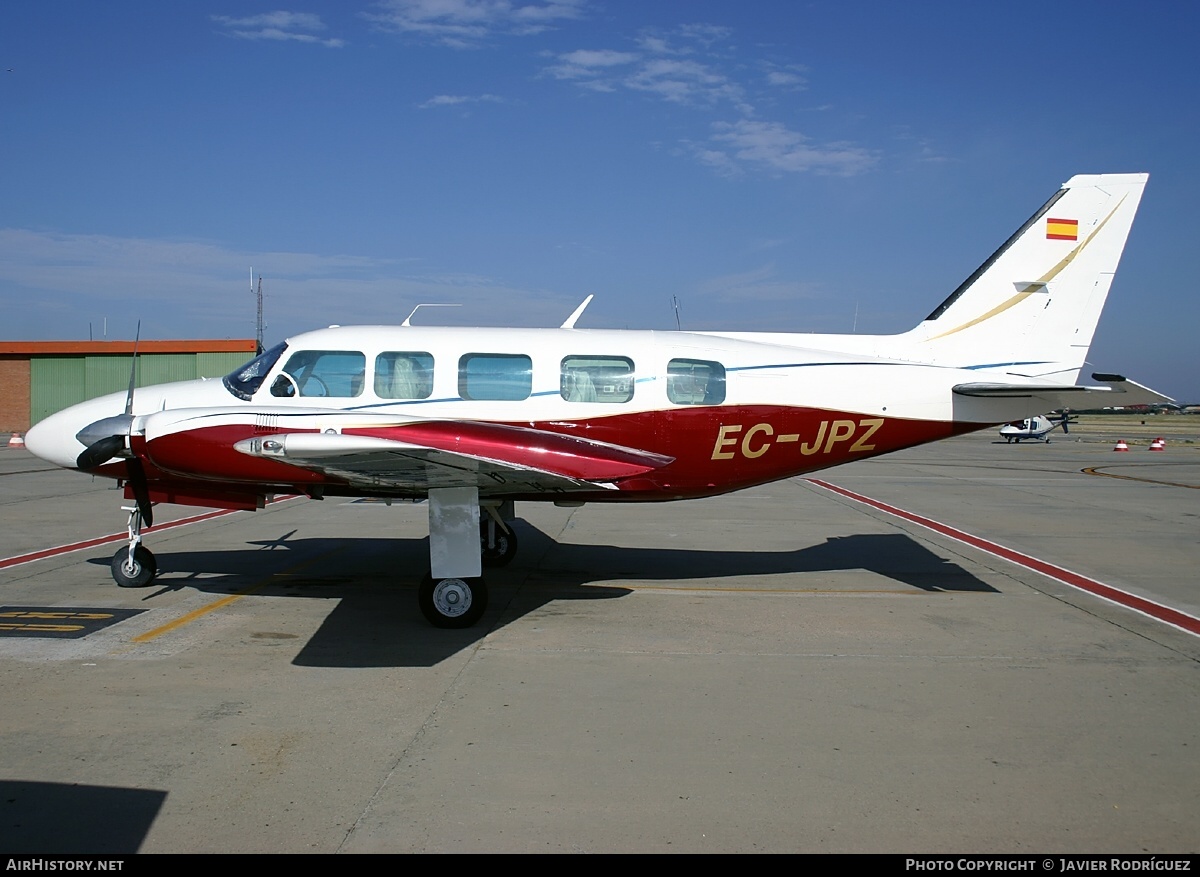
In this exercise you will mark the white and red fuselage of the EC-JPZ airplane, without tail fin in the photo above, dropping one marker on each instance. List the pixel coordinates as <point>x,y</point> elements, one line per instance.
<point>728,412</point>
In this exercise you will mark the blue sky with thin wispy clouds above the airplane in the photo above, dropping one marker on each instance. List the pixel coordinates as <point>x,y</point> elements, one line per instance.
<point>825,167</point>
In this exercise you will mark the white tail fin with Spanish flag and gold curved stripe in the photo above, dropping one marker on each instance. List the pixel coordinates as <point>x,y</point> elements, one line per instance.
<point>1031,309</point>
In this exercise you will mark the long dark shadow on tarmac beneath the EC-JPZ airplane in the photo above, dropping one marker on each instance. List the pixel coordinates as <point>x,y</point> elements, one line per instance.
<point>374,581</point>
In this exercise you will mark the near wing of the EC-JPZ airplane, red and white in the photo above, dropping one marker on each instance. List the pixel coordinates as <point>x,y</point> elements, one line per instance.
<point>497,459</point>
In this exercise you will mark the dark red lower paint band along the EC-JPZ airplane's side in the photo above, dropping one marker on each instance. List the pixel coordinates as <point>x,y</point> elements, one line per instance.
<point>705,450</point>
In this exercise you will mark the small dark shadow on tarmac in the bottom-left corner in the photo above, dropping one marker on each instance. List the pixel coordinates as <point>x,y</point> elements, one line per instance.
<point>55,819</point>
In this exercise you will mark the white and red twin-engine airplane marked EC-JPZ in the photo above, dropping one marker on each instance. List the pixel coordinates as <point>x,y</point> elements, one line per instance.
<point>477,419</point>
